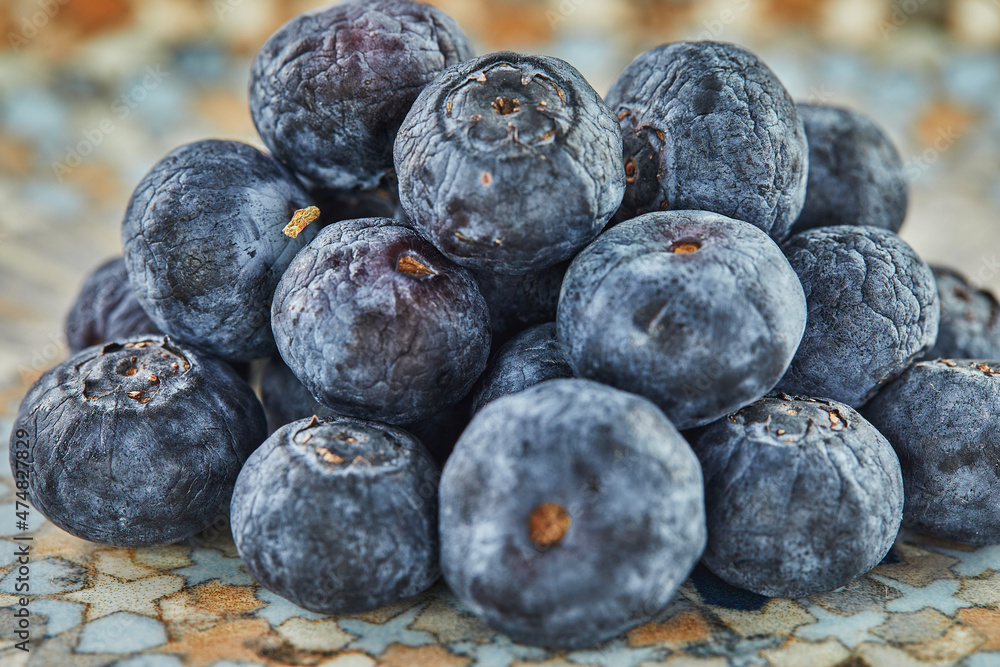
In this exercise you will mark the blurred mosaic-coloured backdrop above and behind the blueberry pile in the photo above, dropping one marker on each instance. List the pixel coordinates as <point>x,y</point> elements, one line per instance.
<point>93,92</point>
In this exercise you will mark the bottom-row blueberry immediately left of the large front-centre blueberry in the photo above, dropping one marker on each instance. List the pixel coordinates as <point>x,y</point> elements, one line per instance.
<point>339,515</point>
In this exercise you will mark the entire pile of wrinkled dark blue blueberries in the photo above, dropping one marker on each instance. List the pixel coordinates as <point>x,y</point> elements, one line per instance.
<point>674,324</point>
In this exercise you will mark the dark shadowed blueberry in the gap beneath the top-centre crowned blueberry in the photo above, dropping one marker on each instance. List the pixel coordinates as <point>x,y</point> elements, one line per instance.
<point>517,302</point>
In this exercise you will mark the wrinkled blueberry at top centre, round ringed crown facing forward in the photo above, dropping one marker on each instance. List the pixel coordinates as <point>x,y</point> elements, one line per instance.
<point>509,163</point>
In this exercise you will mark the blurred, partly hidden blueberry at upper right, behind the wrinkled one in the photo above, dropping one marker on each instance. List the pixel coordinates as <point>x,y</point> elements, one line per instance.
<point>855,173</point>
